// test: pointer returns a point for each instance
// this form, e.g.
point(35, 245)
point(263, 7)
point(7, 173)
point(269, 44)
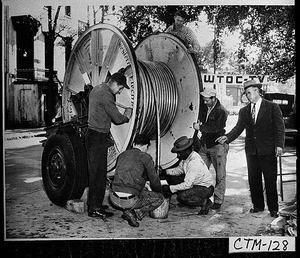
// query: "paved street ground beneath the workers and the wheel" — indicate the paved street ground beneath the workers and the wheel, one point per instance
point(30, 214)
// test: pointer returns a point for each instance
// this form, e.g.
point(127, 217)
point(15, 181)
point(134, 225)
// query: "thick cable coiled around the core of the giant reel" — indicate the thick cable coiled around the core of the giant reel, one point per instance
point(158, 87)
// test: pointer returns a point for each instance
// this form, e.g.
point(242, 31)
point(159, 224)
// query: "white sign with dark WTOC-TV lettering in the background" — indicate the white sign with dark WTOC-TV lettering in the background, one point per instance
point(232, 79)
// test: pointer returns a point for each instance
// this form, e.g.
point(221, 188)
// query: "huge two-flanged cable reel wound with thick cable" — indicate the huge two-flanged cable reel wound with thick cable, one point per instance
point(163, 78)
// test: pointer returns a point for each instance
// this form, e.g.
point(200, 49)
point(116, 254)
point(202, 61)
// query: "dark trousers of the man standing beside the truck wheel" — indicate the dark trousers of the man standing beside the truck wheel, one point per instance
point(96, 146)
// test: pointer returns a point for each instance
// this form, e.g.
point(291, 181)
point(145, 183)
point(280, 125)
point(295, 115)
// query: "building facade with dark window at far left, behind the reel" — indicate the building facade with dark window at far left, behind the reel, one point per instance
point(26, 64)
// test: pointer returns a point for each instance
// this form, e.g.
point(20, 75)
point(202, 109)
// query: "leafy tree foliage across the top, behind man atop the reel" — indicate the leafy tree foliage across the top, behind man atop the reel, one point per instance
point(268, 29)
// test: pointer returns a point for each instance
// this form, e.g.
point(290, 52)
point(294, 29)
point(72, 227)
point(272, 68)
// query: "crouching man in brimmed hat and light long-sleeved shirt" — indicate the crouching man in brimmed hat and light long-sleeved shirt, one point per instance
point(191, 179)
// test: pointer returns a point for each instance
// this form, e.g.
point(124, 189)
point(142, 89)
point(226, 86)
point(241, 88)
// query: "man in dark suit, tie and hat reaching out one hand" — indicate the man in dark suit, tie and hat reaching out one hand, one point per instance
point(264, 141)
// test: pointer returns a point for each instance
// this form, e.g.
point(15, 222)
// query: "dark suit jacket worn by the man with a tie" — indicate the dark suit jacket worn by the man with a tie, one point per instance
point(263, 136)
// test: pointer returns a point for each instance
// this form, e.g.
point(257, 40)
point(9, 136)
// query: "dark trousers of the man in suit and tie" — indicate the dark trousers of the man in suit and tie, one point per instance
point(265, 165)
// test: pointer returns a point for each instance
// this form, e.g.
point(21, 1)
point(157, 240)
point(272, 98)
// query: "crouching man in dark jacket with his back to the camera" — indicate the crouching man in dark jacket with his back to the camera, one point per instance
point(133, 168)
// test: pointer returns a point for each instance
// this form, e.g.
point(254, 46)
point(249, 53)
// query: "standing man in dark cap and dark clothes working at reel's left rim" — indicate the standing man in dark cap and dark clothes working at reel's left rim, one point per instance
point(102, 112)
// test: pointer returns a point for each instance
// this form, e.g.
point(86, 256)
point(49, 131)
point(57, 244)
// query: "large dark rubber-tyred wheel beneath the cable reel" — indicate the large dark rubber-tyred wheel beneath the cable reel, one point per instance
point(64, 168)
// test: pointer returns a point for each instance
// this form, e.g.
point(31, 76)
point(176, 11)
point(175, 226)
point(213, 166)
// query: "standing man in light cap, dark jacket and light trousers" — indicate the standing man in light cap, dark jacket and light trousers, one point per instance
point(211, 123)
